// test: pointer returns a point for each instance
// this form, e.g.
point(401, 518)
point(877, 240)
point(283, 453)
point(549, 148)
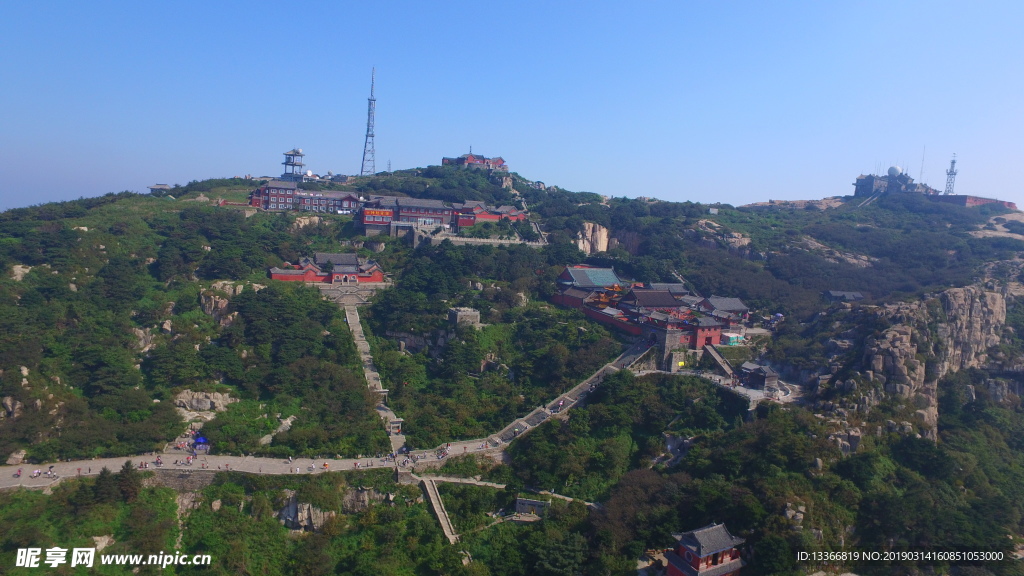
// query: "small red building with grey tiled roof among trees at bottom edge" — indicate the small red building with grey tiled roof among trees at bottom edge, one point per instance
point(707, 552)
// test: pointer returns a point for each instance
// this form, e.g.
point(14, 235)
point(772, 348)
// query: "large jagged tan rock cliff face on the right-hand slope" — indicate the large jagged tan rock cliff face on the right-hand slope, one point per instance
point(950, 333)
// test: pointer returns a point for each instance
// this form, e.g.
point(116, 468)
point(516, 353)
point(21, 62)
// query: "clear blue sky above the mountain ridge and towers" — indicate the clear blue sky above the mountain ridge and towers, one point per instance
point(729, 102)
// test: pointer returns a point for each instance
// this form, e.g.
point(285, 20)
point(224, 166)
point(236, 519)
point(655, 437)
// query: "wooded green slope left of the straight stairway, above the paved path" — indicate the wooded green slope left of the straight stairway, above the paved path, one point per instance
point(108, 273)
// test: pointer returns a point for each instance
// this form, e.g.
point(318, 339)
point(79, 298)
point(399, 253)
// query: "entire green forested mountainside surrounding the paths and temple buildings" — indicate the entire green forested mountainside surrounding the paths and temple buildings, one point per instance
point(106, 315)
